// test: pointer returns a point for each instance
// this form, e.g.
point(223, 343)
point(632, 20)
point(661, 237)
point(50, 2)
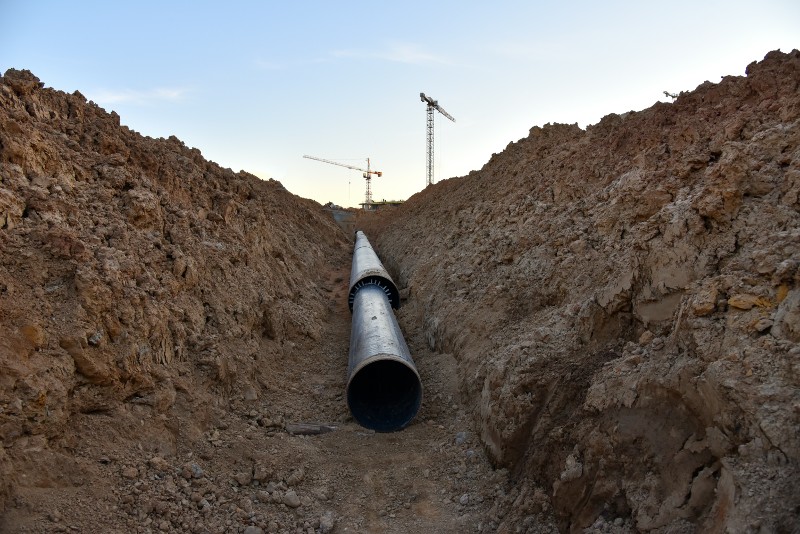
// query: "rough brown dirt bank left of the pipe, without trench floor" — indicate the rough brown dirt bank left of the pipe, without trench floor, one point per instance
point(142, 285)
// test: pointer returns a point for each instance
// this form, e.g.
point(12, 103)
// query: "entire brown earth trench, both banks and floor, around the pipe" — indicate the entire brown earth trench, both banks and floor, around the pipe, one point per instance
point(605, 322)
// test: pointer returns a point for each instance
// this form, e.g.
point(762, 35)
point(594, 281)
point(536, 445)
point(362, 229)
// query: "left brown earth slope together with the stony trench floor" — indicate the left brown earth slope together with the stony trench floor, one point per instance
point(173, 341)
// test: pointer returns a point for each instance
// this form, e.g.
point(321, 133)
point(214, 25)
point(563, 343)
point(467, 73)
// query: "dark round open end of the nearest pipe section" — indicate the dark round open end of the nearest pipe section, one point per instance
point(384, 395)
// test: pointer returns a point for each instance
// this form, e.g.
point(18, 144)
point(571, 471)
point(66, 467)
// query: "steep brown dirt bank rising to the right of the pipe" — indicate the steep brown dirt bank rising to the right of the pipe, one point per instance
point(623, 304)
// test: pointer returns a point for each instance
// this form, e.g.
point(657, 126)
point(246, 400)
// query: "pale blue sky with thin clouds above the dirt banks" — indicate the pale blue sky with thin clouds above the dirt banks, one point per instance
point(256, 85)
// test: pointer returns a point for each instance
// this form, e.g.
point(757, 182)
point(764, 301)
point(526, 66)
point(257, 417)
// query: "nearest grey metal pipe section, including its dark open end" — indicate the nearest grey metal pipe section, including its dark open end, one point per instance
point(384, 391)
